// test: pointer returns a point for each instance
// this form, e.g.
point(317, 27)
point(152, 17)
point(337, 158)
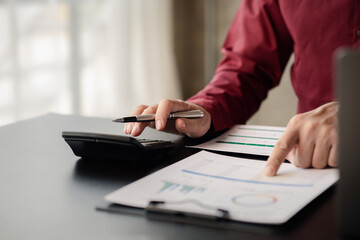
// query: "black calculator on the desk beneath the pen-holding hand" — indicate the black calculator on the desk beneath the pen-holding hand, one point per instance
point(108, 146)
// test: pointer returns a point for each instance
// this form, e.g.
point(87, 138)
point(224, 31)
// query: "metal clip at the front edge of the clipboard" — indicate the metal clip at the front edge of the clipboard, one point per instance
point(154, 207)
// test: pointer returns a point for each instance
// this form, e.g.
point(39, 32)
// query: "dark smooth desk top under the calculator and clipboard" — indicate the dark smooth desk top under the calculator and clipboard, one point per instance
point(48, 193)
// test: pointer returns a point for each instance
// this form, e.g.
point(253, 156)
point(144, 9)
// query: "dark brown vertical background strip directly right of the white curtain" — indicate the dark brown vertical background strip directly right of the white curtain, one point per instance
point(189, 44)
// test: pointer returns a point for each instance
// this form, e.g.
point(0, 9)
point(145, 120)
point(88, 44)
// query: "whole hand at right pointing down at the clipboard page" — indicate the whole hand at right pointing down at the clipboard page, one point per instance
point(310, 140)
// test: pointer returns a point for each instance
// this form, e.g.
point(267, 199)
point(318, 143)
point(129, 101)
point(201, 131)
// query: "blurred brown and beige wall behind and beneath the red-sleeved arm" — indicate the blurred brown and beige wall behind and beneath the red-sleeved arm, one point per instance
point(191, 37)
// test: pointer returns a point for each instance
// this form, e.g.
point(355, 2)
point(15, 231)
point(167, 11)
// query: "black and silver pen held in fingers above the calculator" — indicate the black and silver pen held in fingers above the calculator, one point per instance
point(151, 117)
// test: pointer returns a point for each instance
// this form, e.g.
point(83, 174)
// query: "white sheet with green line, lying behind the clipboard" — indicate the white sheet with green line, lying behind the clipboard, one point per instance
point(249, 139)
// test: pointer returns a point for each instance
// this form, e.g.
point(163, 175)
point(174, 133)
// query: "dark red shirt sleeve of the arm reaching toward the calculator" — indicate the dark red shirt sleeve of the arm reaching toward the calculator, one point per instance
point(256, 50)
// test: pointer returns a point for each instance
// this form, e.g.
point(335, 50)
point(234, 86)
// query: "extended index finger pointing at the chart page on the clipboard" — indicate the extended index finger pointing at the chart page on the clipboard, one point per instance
point(284, 145)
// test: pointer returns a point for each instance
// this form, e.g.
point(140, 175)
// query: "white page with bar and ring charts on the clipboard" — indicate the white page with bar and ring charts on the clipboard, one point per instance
point(205, 182)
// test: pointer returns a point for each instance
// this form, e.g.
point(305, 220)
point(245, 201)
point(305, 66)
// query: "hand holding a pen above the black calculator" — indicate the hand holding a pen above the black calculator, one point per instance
point(191, 127)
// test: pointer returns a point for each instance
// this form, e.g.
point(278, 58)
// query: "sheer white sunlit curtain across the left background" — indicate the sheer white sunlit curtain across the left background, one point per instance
point(94, 58)
